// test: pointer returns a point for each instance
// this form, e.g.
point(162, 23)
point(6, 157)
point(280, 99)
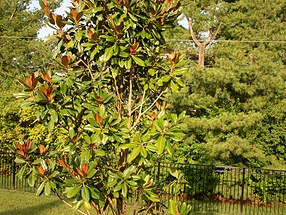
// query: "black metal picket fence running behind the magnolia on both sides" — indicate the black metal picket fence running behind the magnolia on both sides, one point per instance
point(209, 189)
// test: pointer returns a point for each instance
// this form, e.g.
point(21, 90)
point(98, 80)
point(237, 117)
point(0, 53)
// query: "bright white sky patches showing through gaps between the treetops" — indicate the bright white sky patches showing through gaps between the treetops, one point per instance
point(46, 31)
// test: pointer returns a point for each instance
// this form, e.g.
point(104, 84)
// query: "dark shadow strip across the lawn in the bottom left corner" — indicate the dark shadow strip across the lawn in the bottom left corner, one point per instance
point(34, 210)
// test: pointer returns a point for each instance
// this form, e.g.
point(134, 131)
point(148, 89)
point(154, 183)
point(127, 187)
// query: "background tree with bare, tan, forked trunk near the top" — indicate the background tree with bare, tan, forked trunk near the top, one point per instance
point(204, 22)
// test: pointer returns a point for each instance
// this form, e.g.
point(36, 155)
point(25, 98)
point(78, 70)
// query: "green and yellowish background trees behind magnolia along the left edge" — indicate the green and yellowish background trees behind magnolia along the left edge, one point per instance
point(21, 52)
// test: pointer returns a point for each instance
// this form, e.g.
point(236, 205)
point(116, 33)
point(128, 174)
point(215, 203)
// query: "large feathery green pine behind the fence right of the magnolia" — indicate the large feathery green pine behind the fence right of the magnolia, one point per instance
point(235, 104)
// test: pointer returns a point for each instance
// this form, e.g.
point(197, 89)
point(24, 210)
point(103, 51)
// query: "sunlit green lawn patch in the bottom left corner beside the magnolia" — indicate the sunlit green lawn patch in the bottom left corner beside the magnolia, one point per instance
point(22, 203)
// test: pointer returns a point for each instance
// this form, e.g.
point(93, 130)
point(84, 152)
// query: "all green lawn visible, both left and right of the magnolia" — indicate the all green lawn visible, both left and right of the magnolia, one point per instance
point(14, 202)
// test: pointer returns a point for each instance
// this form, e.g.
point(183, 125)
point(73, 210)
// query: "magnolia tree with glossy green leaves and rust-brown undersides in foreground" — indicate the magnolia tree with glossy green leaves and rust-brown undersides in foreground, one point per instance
point(106, 105)
